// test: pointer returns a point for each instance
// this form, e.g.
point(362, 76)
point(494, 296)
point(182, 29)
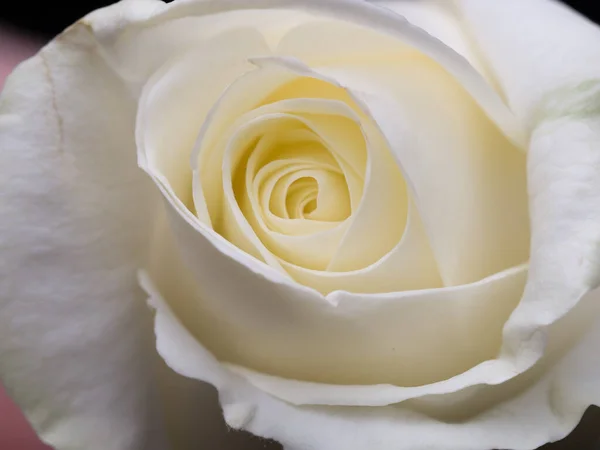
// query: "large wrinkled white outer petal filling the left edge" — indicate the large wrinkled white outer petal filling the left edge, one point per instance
point(74, 347)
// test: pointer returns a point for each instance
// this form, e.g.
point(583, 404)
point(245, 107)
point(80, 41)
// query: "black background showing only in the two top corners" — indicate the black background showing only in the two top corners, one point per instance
point(48, 17)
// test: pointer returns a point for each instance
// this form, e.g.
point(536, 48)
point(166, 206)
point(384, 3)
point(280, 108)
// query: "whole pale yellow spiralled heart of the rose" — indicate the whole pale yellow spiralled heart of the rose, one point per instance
point(356, 215)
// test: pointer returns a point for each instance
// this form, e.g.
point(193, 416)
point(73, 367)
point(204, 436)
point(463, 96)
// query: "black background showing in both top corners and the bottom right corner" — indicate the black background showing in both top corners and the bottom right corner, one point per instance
point(47, 18)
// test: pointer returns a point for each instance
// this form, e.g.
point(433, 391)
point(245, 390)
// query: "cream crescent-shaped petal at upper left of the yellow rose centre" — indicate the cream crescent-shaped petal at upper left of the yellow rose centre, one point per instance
point(176, 101)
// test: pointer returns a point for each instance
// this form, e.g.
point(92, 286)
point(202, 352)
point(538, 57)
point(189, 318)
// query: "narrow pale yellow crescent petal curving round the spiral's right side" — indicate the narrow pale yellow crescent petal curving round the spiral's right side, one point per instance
point(381, 218)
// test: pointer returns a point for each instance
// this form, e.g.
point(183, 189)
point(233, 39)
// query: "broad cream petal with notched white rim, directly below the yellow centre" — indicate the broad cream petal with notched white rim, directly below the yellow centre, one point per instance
point(281, 328)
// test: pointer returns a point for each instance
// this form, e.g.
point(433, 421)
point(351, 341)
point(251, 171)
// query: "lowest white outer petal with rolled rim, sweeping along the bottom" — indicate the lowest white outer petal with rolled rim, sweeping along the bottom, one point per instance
point(544, 406)
